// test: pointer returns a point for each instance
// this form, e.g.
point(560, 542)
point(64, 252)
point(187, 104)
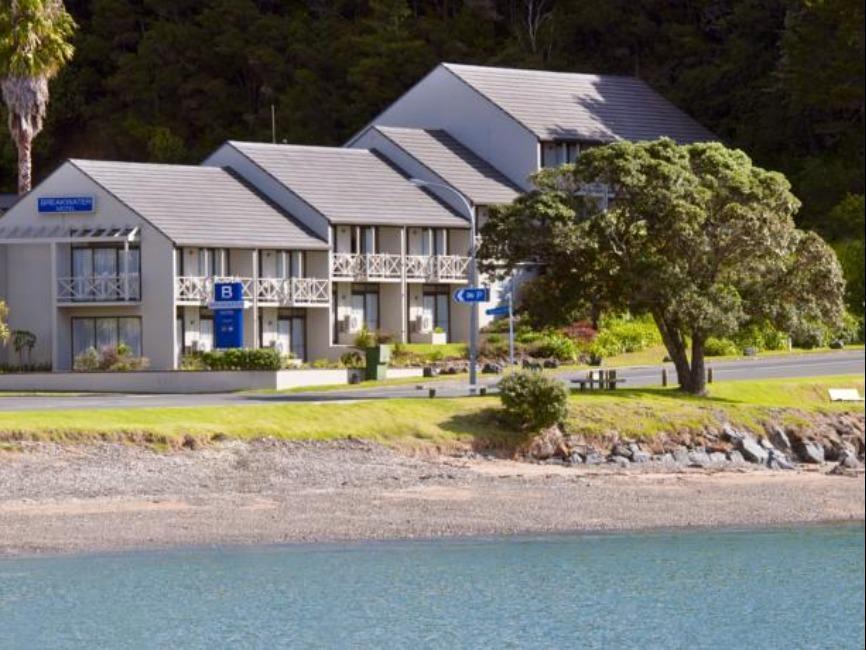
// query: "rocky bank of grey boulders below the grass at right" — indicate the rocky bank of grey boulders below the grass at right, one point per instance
point(813, 441)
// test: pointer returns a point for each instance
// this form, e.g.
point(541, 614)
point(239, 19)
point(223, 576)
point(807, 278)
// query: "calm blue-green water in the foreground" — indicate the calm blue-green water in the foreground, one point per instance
point(794, 588)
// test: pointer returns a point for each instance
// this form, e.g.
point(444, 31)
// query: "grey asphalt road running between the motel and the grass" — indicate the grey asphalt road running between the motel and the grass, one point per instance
point(833, 363)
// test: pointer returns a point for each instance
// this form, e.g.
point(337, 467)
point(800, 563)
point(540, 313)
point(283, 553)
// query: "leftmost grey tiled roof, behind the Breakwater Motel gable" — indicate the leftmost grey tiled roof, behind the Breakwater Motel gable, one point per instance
point(194, 205)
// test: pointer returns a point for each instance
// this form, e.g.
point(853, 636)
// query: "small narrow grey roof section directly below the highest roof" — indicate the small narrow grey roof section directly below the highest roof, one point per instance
point(454, 163)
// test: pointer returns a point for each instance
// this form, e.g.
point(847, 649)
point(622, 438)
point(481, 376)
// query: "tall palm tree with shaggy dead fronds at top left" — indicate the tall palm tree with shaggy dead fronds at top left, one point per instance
point(34, 45)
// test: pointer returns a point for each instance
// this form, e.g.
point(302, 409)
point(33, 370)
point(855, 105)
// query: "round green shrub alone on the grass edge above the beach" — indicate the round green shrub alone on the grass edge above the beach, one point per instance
point(532, 400)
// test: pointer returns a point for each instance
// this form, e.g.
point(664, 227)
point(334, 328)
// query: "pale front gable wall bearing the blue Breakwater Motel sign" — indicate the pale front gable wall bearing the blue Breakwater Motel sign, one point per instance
point(30, 282)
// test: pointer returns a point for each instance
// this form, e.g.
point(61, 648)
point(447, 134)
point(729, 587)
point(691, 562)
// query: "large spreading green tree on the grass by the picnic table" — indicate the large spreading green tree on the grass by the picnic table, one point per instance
point(695, 235)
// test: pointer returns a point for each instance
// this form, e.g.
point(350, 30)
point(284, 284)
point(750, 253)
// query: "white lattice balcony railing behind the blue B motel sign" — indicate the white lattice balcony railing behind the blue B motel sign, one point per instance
point(282, 292)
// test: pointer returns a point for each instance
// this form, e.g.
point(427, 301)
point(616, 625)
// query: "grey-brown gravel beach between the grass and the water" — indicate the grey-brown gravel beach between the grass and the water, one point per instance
point(108, 497)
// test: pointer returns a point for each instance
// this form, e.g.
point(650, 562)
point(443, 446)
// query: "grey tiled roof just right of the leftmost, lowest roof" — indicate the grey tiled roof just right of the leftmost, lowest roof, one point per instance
point(352, 186)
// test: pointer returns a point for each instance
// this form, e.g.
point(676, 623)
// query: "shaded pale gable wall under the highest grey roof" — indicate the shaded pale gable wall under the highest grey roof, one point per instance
point(443, 101)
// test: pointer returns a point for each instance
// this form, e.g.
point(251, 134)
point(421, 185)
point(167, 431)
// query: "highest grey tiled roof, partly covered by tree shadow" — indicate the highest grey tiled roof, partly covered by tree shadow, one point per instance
point(601, 108)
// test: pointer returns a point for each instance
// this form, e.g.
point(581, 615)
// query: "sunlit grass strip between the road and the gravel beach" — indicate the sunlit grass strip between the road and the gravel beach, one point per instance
point(442, 422)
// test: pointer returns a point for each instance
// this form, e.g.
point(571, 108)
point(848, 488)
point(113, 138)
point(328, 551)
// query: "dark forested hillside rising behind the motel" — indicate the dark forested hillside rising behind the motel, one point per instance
point(168, 80)
